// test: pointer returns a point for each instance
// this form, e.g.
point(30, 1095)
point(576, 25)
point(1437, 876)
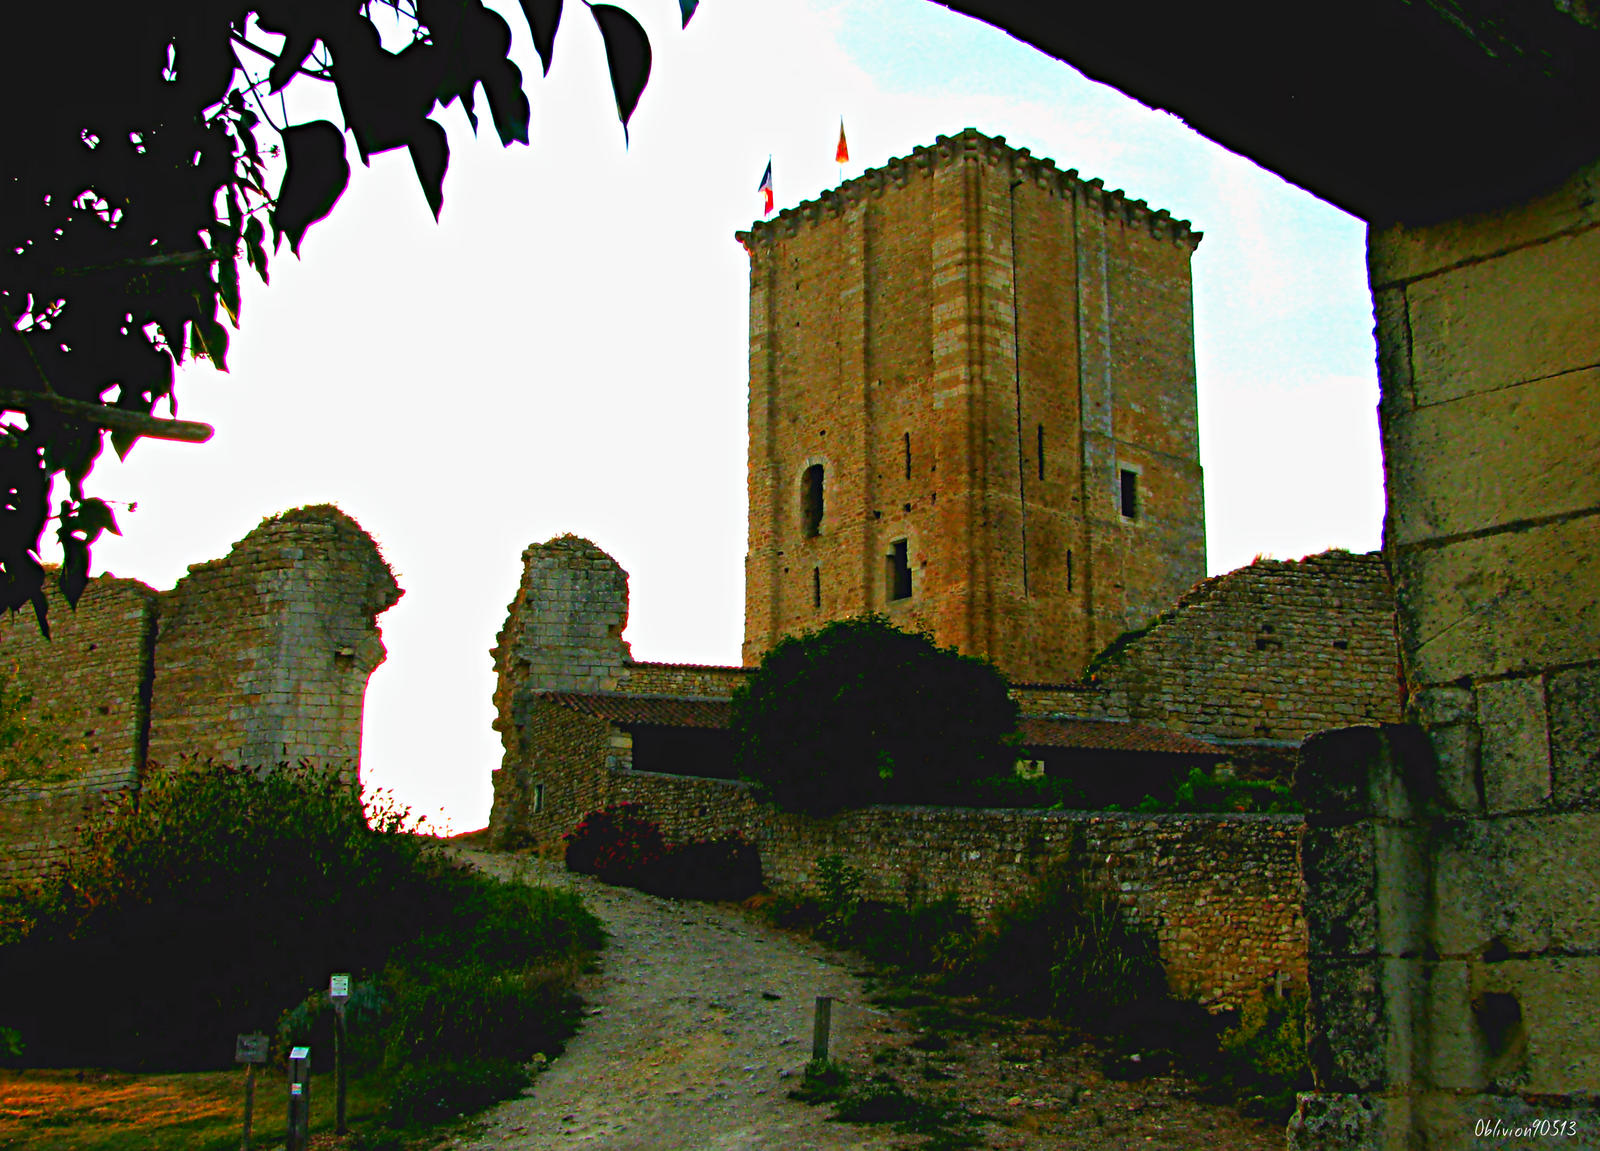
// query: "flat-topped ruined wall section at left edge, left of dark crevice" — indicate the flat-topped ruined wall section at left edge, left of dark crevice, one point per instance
point(90, 691)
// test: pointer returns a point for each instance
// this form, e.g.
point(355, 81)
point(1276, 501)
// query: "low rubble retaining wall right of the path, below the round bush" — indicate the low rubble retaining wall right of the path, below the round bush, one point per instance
point(1220, 892)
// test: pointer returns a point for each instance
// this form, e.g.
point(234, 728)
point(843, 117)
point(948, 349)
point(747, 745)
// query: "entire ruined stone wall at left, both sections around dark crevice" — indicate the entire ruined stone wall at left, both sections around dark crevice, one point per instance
point(257, 659)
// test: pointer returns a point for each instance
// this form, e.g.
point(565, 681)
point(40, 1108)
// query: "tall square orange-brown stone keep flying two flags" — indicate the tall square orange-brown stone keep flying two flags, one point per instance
point(974, 409)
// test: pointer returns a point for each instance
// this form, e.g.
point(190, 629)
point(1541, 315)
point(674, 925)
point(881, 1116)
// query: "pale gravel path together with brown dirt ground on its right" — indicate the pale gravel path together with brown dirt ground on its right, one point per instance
point(700, 1024)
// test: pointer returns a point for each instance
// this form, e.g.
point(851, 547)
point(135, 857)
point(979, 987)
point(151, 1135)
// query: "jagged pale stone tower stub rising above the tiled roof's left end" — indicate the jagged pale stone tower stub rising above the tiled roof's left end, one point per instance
point(564, 632)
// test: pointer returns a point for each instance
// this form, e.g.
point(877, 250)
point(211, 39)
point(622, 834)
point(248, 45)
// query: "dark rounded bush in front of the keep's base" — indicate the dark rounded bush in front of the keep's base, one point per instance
point(862, 713)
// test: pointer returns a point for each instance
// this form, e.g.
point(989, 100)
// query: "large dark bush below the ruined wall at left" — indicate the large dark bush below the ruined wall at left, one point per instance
point(220, 897)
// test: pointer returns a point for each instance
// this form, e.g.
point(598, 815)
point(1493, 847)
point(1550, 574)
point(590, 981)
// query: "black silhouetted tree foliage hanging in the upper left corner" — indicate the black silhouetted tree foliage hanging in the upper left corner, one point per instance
point(137, 151)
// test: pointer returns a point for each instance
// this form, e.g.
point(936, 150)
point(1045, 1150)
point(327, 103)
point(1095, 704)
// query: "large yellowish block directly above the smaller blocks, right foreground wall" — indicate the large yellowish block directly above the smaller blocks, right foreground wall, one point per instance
point(1502, 604)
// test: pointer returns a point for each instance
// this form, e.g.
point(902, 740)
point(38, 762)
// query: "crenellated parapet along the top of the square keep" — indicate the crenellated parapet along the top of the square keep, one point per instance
point(993, 151)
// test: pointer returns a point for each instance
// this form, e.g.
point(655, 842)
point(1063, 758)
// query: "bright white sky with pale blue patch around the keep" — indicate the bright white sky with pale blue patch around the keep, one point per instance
point(566, 351)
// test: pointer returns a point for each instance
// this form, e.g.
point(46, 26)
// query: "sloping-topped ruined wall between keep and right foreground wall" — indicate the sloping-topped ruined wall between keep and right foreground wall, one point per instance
point(1271, 652)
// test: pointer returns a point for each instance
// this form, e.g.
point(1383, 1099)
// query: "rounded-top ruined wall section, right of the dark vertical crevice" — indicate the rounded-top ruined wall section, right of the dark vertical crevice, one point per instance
point(263, 656)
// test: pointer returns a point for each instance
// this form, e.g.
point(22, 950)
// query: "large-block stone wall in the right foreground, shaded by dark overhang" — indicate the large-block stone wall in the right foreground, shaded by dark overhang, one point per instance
point(1455, 929)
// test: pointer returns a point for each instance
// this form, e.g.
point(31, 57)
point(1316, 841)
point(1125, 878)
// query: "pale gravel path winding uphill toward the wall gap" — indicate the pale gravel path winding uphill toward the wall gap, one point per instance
point(698, 1029)
